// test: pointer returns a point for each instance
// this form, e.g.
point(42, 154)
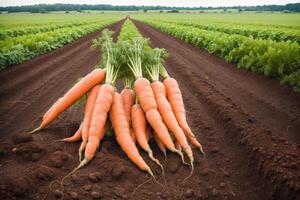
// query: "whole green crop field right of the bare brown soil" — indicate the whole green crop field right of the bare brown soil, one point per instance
point(257, 45)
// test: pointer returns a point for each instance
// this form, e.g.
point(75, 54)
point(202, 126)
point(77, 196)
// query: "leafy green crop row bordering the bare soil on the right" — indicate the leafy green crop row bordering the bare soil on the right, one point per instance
point(276, 59)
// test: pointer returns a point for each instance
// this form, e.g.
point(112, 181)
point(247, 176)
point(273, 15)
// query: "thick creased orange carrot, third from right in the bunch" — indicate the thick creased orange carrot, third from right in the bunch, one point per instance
point(145, 94)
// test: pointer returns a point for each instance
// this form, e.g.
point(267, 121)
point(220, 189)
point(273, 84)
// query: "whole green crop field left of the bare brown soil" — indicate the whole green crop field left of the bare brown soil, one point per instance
point(25, 36)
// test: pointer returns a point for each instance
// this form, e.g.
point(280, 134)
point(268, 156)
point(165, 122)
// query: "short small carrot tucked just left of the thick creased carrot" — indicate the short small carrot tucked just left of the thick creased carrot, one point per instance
point(139, 125)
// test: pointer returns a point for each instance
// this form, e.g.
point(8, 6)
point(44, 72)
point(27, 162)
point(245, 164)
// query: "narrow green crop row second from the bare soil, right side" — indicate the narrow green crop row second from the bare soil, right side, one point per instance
point(249, 31)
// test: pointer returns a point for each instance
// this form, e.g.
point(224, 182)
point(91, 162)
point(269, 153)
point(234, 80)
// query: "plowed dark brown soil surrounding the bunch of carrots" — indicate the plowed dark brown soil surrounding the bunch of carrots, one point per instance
point(248, 124)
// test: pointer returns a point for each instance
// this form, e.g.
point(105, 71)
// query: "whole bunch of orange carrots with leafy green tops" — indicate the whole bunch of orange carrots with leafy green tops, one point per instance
point(145, 108)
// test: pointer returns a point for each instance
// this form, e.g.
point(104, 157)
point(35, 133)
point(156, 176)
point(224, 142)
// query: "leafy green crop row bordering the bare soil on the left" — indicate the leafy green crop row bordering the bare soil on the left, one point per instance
point(16, 50)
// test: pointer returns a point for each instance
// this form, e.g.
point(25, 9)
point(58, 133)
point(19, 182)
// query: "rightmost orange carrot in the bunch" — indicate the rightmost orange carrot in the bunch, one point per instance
point(175, 98)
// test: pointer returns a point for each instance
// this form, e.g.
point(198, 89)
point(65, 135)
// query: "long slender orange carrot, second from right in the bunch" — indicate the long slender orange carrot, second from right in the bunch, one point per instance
point(169, 118)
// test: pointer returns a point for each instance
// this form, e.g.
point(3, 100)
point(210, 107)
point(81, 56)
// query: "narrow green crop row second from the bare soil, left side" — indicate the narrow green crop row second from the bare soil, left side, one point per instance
point(19, 31)
